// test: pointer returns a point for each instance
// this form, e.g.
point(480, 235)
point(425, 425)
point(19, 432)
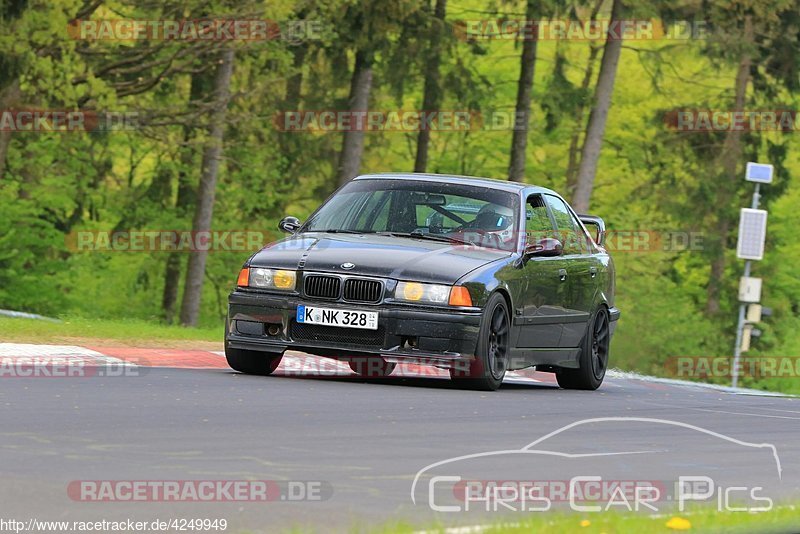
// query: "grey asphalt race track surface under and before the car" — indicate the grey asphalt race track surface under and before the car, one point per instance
point(364, 442)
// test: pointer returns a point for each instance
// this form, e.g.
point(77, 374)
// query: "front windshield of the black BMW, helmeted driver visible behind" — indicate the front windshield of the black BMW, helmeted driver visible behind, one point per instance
point(422, 210)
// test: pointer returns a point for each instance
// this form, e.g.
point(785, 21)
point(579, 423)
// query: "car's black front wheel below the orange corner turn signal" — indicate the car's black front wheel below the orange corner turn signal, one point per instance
point(486, 371)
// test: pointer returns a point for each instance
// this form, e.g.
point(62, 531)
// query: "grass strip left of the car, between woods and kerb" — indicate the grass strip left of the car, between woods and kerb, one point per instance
point(135, 332)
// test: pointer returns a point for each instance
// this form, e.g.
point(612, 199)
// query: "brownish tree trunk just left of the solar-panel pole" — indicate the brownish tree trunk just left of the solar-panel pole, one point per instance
point(728, 159)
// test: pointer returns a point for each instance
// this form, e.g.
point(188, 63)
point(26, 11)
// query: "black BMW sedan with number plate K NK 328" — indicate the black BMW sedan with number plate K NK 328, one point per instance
point(474, 275)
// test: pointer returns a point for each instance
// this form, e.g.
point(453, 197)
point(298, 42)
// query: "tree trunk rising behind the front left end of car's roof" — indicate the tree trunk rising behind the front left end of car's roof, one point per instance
point(353, 141)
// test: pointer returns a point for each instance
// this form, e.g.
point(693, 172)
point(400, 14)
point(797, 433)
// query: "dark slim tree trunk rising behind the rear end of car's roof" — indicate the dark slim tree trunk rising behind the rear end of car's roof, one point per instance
point(519, 139)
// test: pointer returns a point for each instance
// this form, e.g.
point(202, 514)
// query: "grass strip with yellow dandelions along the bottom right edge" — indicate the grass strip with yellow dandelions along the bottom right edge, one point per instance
point(779, 519)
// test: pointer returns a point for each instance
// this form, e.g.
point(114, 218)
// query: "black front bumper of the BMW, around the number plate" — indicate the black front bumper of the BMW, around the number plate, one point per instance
point(406, 333)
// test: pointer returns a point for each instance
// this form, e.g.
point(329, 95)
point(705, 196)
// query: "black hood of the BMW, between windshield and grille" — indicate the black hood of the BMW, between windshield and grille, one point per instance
point(400, 258)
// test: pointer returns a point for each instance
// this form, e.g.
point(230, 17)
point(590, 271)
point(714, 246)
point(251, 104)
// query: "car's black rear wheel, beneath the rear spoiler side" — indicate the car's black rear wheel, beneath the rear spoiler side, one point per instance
point(593, 358)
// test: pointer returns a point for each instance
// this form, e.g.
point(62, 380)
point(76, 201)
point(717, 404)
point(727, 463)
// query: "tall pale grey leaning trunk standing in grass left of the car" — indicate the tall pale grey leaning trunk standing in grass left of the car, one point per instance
point(204, 210)
